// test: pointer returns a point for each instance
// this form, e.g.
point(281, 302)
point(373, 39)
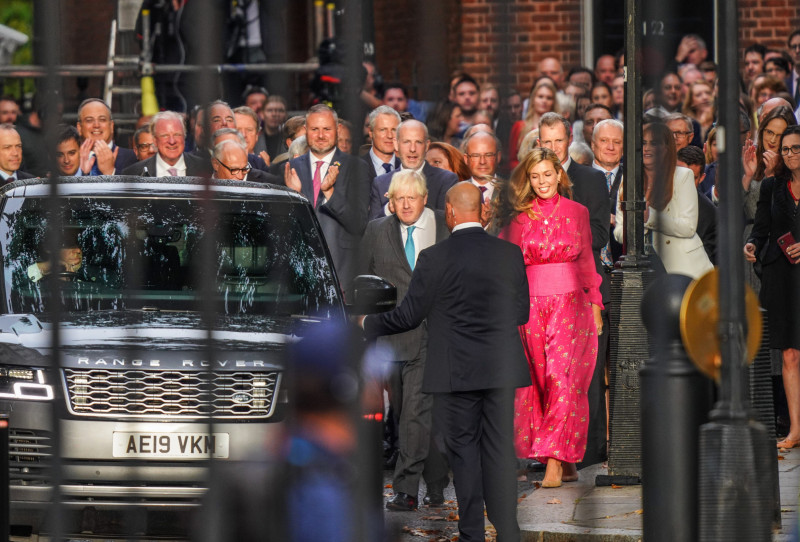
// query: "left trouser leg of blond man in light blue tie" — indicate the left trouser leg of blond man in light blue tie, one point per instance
point(415, 428)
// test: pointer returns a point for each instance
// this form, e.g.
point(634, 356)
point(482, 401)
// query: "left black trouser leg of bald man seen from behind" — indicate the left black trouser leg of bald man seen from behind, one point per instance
point(459, 415)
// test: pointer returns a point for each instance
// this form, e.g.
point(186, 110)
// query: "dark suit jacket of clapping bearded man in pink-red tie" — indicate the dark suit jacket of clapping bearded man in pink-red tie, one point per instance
point(343, 218)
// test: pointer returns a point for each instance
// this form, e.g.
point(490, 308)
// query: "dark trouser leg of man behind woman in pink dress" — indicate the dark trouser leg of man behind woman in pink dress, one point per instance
point(596, 444)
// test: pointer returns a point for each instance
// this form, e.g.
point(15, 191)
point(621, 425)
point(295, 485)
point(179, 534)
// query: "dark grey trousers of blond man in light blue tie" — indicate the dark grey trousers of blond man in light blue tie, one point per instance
point(413, 409)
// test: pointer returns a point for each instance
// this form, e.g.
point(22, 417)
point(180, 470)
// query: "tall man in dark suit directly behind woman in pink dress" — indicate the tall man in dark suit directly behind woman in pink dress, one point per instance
point(589, 188)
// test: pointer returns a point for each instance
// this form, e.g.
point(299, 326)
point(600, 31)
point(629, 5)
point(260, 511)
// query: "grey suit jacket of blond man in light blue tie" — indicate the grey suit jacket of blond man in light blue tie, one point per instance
point(382, 253)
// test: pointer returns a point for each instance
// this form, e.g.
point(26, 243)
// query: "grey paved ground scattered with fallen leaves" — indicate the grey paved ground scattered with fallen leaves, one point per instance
point(577, 511)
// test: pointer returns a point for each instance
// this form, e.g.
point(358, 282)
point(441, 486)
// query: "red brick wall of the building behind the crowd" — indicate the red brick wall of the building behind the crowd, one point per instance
point(502, 41)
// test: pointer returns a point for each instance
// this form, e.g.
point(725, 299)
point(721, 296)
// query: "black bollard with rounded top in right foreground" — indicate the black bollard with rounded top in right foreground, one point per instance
point(675, 401)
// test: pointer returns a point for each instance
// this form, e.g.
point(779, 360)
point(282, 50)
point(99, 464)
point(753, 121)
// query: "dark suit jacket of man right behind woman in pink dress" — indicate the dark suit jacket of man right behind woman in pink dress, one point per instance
point(590, 190)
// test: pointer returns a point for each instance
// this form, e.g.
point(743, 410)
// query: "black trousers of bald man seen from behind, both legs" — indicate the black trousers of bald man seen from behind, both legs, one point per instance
point(478, 428)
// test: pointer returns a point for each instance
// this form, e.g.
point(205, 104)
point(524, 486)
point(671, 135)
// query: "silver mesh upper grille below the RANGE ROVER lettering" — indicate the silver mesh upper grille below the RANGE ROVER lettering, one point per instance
point(171, 394)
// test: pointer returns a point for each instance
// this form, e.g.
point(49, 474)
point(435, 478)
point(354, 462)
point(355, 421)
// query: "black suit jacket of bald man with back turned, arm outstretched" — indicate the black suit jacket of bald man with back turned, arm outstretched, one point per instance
point(473, 290)
